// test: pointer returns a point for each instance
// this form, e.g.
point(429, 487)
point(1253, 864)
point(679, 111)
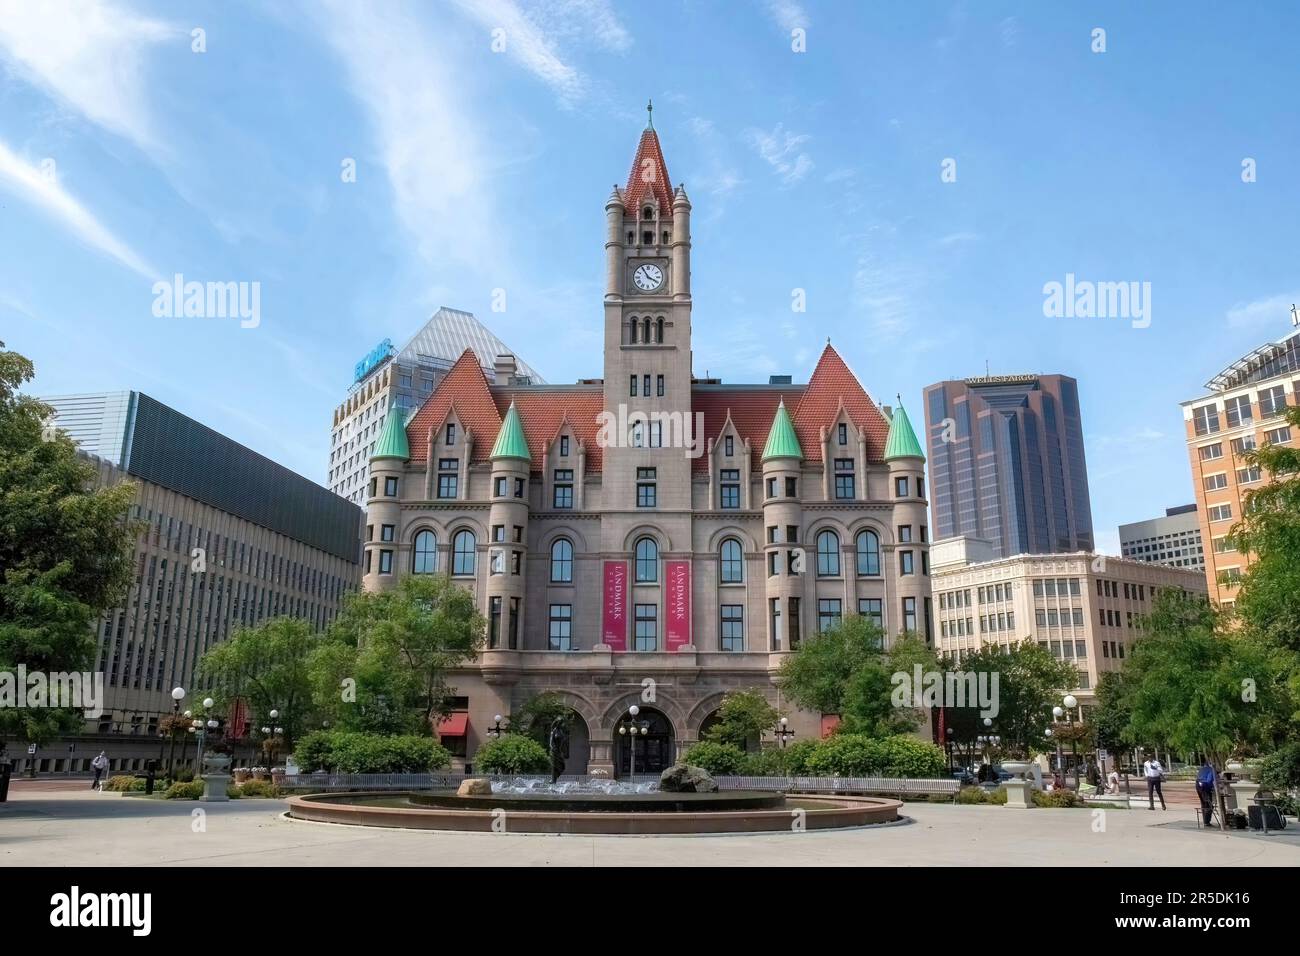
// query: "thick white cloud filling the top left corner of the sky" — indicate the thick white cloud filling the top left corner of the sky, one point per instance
point(88, 55)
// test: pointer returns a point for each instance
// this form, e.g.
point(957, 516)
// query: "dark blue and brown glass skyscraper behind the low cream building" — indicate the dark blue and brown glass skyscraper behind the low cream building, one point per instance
point(1007, 464)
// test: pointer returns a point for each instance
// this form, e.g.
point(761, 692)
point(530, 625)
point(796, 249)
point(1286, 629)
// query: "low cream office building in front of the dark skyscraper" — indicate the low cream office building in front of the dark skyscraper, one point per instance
point(1085, 608)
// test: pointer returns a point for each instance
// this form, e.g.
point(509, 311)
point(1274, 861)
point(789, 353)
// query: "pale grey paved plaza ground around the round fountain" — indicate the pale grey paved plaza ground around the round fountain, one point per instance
point(68, 828)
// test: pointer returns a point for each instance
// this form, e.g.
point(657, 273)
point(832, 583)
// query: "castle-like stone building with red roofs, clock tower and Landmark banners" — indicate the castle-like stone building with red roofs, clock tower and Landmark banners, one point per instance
point(651, 538)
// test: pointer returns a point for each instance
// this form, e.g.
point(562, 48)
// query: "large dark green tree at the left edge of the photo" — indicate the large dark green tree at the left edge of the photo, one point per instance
point(66, 551)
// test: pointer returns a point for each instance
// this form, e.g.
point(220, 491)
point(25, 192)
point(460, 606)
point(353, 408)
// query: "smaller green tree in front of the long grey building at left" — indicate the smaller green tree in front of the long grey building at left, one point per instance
point(268, 667)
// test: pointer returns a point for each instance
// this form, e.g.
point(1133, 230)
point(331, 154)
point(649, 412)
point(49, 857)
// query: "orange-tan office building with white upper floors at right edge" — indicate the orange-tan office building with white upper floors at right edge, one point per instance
point(1243, 410)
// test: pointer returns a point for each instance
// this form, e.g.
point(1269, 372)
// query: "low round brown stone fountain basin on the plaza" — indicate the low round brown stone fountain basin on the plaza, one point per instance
point(679, 814)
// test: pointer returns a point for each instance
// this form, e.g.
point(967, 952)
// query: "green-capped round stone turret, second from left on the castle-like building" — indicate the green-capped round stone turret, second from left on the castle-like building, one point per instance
point(512, 464)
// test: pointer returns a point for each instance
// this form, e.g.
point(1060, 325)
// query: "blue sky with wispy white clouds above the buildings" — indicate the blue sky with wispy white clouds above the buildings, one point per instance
point(127, 157)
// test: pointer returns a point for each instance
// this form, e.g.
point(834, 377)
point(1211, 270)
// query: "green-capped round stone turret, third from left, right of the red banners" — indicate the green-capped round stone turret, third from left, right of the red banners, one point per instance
point(786, 565)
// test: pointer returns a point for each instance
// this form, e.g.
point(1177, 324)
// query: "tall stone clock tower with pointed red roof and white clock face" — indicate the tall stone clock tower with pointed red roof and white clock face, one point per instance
point(648, 334)
